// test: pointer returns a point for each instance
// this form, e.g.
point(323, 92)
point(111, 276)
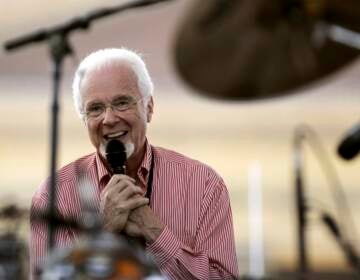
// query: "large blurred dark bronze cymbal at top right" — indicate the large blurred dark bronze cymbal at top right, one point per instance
point(254, 49)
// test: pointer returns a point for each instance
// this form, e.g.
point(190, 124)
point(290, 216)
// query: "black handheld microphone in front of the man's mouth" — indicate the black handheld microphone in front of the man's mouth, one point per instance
point(116, 156)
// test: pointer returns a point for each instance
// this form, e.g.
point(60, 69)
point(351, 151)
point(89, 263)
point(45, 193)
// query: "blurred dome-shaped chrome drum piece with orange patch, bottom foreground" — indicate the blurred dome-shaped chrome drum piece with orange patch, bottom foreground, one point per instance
point(103, 256)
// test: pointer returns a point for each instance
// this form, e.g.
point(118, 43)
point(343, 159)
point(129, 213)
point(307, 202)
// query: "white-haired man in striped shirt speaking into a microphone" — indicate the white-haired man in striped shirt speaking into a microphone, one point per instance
point(185, 218)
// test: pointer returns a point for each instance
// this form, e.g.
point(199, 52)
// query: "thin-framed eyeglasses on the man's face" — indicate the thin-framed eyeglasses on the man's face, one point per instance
point(119, 104)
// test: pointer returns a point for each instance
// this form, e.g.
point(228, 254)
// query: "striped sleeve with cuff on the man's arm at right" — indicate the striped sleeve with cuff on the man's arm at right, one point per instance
point(213, 256)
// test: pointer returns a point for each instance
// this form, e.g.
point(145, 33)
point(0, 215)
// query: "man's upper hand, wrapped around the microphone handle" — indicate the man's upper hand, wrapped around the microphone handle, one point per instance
point(119, 197)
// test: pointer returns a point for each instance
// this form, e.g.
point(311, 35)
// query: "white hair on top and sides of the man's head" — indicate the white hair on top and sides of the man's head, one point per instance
point(109, 57)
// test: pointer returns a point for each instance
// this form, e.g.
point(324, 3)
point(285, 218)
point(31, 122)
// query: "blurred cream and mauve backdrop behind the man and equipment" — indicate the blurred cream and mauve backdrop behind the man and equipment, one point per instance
point(236, 138)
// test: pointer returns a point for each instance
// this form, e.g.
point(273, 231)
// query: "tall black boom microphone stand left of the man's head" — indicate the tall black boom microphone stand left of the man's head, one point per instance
point(57, 38)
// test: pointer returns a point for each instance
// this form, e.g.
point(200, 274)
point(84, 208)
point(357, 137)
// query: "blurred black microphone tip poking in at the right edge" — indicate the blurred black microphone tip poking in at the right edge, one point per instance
point(350, 145)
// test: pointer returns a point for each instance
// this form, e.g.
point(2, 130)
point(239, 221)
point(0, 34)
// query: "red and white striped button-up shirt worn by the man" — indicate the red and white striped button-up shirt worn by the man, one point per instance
point(189, 197)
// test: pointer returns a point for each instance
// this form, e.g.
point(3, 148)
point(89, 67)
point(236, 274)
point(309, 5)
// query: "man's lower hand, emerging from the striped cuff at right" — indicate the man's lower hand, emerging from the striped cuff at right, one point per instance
point(142, 222)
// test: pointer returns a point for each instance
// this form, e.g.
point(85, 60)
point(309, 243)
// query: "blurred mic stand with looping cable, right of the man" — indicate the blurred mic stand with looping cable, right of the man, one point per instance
point(342, 231)
